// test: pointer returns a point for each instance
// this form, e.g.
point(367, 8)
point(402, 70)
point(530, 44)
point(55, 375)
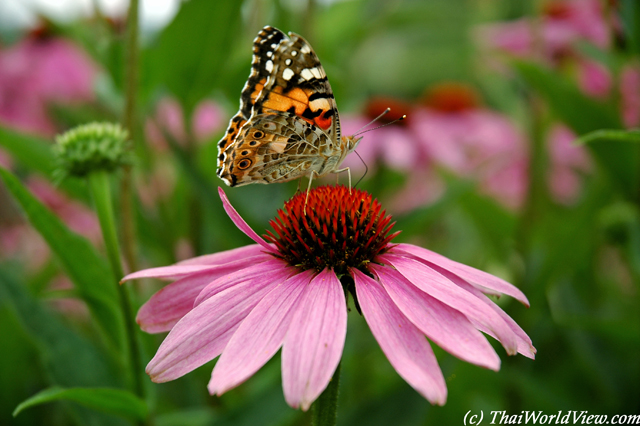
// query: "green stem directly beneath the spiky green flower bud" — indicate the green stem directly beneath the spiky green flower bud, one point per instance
point(101, 193)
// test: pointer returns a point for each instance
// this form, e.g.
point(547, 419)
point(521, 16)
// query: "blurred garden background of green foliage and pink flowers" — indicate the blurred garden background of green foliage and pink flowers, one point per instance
point(529, 66)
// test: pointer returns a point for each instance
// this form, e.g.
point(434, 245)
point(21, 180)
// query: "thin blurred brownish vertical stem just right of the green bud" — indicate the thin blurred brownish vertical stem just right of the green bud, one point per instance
point(129, 120)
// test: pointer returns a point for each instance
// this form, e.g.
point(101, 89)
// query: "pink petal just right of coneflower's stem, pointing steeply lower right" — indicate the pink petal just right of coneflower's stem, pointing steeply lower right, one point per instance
point(404, 345)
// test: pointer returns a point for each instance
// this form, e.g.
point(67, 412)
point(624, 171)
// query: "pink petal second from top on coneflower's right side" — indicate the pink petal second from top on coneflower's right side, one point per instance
point(446, 291)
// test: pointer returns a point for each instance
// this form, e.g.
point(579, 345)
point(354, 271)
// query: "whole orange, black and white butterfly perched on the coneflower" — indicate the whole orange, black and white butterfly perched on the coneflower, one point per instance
point(288, 124)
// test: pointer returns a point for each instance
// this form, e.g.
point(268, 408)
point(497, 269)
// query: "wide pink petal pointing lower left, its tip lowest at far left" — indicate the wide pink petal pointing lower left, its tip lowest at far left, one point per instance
point(202, 334)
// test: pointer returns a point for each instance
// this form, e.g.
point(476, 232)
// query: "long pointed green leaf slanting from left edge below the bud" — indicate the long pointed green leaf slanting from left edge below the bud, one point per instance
point(89, 272)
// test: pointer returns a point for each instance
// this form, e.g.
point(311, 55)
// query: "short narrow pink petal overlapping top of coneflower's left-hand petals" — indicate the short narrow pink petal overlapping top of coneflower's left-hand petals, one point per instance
point(279, 272)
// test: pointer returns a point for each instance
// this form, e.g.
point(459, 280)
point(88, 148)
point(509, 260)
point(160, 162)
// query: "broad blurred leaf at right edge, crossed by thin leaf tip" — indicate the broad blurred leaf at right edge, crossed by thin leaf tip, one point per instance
point(584, 115)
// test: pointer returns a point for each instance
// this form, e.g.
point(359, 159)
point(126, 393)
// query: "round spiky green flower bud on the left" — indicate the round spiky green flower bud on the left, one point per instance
point(91, 147)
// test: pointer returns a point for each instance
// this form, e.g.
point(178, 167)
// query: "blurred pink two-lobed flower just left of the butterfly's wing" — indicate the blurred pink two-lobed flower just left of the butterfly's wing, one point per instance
point(207, 119)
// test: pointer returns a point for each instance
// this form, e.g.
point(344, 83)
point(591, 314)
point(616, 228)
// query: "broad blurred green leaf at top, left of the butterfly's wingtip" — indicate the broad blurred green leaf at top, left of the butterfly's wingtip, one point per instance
point(191, 51)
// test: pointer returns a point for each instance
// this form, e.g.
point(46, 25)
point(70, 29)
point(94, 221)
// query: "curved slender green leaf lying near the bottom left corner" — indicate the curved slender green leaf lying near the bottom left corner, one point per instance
point(118, 402)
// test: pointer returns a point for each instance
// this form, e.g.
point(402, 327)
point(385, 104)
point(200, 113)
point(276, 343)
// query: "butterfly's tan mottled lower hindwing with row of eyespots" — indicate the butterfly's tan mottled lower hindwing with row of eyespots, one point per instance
point(277, 147)
